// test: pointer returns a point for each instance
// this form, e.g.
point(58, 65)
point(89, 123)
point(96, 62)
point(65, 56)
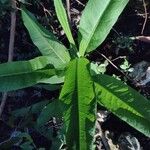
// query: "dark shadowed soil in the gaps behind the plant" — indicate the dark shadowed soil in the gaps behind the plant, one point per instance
point(129, 24)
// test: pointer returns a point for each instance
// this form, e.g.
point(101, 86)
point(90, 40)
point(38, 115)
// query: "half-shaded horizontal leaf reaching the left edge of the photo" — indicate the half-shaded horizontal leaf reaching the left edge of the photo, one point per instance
point(21, 74)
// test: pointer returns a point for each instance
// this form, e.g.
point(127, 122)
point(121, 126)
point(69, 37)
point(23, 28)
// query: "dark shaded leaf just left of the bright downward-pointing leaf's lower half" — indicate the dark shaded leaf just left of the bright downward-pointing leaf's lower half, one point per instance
point(53, 110)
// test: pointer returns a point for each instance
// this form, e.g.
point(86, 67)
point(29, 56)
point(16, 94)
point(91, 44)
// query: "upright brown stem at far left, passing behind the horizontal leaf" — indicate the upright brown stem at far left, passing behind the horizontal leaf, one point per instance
point(11, 49)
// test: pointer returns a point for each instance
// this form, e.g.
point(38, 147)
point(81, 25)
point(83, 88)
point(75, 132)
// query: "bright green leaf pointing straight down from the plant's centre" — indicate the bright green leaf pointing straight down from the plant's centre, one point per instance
point(78, 96)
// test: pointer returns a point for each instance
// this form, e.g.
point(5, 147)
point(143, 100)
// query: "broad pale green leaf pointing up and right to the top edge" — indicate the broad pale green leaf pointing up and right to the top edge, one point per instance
point(96, 22)
